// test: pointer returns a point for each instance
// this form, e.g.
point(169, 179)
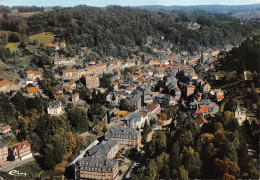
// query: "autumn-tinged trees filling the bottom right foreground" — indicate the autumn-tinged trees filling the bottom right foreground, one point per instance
point(183, 151)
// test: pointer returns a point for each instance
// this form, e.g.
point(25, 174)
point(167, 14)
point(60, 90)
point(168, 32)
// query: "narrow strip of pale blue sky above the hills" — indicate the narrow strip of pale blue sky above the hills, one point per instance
point(103, 3)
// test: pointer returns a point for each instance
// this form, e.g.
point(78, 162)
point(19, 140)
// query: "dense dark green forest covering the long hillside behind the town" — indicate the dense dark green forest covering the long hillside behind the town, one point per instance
point(112, 30)
